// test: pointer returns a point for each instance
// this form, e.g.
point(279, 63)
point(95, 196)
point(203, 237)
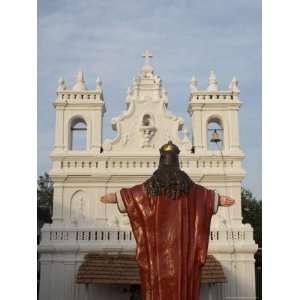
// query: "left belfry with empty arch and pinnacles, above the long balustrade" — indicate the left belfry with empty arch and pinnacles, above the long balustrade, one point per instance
point(78, 109)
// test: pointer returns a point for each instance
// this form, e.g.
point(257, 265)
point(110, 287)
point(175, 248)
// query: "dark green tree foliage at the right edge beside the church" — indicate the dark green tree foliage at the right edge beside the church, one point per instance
point(252, 213)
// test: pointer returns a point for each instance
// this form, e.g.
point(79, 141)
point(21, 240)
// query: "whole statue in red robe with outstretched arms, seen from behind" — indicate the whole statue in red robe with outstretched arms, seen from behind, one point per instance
point(170, 218)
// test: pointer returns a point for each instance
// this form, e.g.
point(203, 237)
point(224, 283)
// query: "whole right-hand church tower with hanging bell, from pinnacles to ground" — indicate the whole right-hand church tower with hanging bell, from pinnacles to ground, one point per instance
point(216, 146)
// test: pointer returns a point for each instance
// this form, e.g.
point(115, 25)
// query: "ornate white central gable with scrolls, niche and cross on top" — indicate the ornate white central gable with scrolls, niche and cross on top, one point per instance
point(146, 124)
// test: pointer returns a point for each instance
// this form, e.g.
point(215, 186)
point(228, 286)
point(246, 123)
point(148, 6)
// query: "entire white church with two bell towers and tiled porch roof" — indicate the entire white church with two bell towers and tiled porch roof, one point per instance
point(88, 252)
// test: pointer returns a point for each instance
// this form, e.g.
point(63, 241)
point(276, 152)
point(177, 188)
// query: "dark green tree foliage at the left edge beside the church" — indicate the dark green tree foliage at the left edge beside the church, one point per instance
point(44, 198)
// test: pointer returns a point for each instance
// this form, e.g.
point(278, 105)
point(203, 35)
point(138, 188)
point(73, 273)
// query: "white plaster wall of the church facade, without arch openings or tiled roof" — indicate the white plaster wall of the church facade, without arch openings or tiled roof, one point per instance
point(61, 254)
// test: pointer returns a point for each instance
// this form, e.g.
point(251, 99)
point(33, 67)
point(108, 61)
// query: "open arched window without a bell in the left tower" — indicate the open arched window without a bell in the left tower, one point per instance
point(78, 132)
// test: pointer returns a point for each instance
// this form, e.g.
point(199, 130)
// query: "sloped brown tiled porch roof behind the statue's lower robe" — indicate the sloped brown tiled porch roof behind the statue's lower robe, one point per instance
point(123, 269)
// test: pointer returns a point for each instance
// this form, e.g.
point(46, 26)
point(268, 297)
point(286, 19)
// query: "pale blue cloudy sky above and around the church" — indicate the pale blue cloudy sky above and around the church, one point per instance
point(107, 38)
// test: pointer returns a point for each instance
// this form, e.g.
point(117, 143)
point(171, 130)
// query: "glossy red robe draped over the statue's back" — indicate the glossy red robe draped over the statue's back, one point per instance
point(172, 240)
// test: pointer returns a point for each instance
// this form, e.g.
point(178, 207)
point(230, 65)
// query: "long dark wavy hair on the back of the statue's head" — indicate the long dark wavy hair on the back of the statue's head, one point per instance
point(168, 180)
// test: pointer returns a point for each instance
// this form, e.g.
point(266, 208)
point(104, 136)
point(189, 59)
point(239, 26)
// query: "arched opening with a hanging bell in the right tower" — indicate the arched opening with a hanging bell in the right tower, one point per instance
point(215, 134)
